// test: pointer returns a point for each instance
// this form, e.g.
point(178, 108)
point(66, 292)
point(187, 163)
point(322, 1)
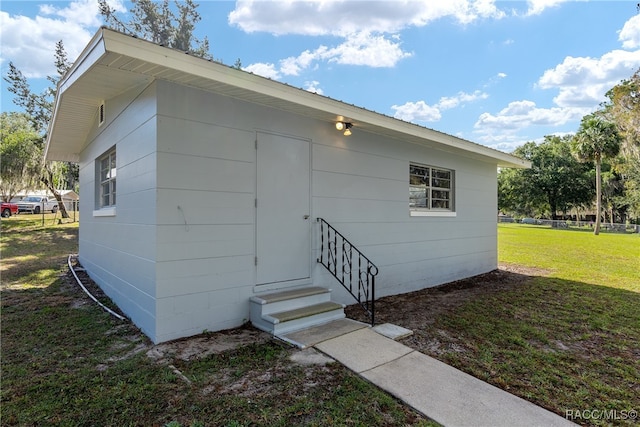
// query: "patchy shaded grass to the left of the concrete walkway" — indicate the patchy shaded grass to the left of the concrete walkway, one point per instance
point(66, 362)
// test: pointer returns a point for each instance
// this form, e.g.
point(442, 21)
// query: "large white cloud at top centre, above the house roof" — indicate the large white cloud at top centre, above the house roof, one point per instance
point(369, 29)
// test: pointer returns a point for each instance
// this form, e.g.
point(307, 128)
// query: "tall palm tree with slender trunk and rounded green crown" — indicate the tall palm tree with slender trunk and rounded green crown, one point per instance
point(596, 140)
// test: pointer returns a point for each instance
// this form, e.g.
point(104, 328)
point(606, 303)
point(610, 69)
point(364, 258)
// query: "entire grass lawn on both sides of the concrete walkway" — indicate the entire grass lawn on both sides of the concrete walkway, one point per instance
point(566, 337)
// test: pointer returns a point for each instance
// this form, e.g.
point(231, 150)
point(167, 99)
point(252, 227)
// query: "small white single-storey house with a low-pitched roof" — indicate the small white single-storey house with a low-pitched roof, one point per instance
point(221, 177)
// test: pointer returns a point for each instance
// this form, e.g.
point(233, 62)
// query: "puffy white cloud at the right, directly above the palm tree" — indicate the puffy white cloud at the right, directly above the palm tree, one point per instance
point(584, 81)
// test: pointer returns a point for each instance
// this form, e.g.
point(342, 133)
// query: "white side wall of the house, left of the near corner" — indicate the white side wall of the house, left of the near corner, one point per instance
point(118, 250)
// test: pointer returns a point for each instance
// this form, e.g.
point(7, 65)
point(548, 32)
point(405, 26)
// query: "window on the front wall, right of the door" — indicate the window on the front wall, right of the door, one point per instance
point(430, 188)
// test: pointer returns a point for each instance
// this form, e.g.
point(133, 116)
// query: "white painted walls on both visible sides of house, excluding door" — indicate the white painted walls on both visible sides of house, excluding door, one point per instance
point(179, 257)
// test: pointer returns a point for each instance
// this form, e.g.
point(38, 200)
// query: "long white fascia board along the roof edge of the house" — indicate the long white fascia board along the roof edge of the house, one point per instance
point(109, 41)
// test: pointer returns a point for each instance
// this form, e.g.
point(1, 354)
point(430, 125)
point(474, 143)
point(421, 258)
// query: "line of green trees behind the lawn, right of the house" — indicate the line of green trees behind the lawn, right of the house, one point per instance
point(596, 170)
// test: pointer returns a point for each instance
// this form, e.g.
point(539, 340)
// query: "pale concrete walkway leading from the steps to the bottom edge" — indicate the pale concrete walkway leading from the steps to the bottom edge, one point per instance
point(442, 393)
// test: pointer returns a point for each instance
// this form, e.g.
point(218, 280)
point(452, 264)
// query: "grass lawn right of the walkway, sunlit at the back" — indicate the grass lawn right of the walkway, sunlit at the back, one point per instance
point(568, 337)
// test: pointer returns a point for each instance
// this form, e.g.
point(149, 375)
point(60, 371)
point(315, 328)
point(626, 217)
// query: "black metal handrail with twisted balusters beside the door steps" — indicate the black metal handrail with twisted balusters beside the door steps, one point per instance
point(354, 267)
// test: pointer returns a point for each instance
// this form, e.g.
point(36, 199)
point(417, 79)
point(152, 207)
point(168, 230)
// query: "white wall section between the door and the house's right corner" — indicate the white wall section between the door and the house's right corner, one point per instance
point(360, 185)
